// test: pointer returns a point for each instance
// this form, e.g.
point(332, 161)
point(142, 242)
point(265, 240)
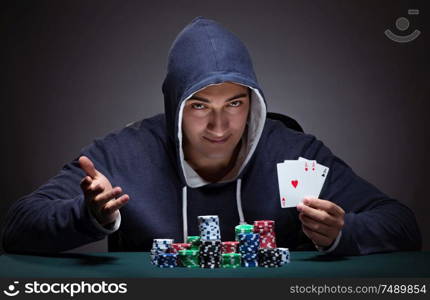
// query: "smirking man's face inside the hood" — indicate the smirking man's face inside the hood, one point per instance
point(214, 120)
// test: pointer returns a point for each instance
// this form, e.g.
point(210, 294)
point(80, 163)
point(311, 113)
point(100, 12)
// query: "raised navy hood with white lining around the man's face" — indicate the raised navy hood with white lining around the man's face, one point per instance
point(205, 53)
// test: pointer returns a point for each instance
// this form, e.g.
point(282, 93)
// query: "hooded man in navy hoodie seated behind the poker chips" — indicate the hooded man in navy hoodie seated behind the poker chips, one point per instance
point(213, 152)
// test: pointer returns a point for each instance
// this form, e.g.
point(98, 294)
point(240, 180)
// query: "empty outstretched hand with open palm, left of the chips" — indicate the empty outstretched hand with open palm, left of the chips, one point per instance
point(100, 197)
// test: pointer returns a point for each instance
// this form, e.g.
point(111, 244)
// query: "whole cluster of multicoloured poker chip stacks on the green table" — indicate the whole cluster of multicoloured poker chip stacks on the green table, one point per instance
point(254, 245)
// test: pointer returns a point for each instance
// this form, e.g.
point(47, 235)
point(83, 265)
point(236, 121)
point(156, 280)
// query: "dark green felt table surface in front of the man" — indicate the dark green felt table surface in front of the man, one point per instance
point(137, 265)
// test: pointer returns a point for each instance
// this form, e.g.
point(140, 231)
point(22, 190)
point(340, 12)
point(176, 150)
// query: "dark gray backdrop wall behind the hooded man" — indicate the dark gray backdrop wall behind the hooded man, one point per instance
point(76, 70)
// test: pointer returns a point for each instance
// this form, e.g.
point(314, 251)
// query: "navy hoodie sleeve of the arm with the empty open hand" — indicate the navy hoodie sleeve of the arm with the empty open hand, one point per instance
point(55, 217)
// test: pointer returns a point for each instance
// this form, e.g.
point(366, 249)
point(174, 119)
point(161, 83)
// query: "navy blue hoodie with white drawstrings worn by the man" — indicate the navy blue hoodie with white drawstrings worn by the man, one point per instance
point(167, 195)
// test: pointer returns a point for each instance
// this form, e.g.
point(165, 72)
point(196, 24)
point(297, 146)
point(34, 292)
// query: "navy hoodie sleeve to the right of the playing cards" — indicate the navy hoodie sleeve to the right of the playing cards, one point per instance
point(374, 222)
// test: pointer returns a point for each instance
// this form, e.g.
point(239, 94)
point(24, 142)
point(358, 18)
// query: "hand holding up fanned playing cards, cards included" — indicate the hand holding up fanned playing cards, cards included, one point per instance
point(300, 183)
